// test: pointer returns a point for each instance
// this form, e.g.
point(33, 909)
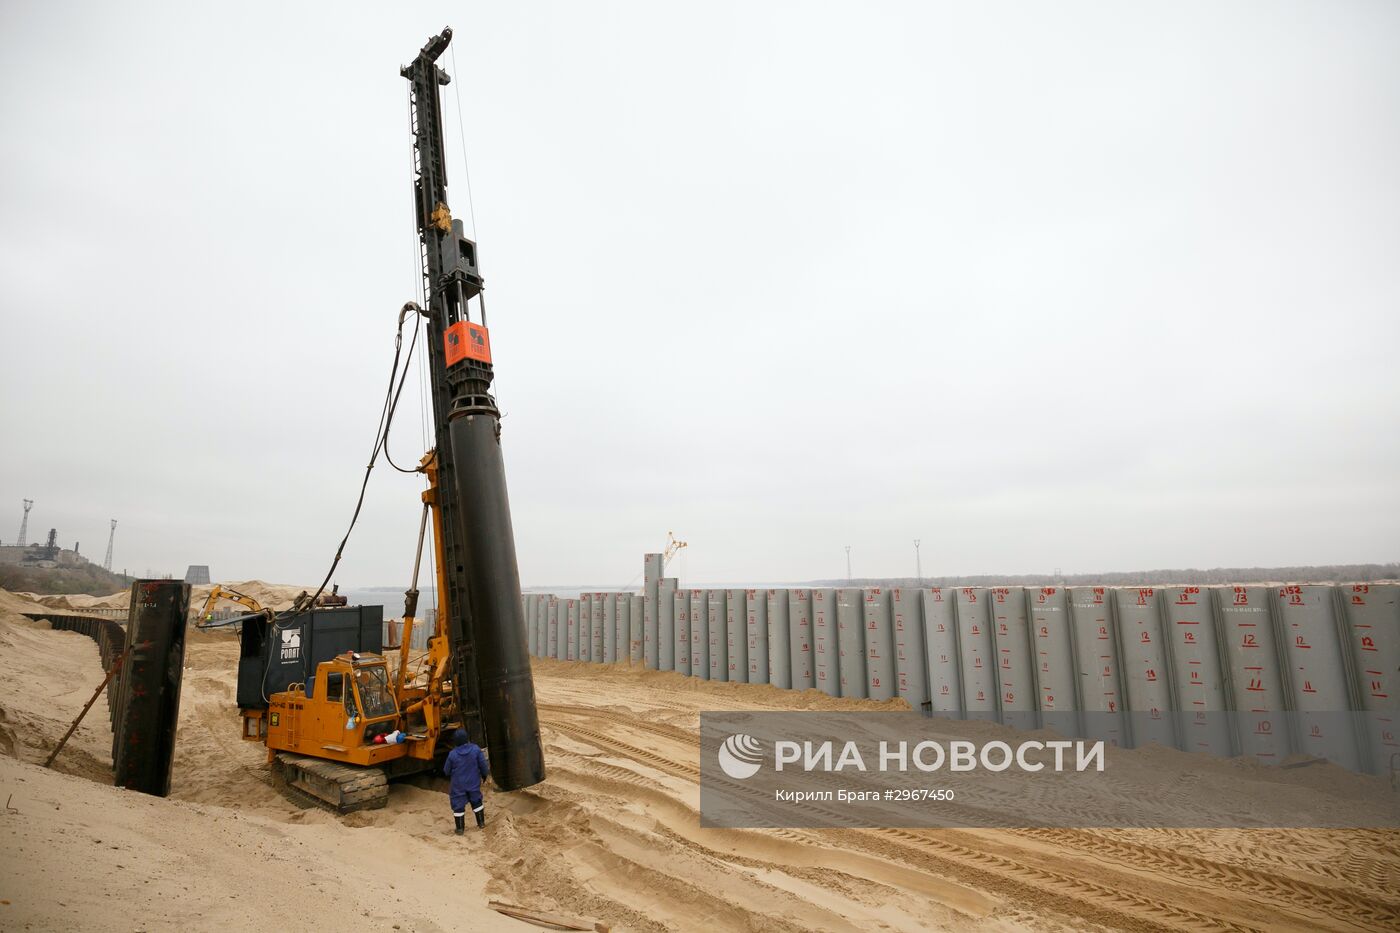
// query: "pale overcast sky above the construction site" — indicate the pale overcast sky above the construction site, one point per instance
point(1084, 286)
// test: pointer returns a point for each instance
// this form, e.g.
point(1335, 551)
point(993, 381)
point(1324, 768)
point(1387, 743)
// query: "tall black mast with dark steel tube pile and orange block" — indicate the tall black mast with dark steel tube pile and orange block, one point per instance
point(492, 676)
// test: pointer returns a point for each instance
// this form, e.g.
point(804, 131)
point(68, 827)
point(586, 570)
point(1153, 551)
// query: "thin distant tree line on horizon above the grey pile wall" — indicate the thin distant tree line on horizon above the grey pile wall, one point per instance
point(1326, 574)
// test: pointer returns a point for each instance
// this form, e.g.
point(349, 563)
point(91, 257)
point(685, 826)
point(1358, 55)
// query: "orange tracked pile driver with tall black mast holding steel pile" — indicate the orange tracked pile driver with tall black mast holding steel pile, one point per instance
point(349, 724)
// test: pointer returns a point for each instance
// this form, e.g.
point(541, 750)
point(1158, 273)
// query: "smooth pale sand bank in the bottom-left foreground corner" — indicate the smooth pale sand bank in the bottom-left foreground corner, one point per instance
point(82, 857)
